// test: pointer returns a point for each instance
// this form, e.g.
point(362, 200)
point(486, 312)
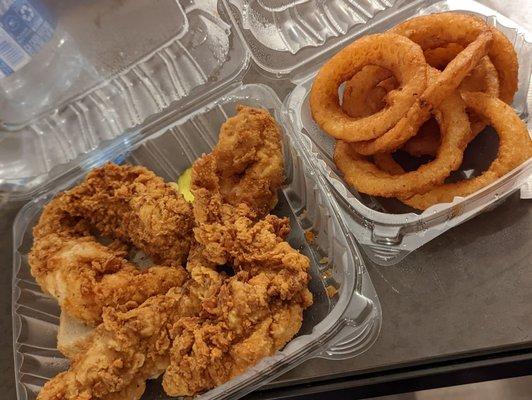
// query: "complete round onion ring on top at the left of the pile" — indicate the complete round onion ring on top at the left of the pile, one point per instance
point(386, 50)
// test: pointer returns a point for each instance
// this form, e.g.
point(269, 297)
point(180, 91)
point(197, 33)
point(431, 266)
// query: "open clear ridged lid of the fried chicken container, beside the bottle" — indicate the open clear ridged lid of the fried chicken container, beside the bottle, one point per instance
point(144, 58)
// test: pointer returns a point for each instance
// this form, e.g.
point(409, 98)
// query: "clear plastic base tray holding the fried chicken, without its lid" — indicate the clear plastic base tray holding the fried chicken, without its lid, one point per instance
point(334, 328)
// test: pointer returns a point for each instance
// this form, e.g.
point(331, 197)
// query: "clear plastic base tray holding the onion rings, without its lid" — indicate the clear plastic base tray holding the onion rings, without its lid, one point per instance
point(386, 229)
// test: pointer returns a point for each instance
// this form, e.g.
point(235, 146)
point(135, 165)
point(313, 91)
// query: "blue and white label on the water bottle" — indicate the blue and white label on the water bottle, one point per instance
point(25, 26)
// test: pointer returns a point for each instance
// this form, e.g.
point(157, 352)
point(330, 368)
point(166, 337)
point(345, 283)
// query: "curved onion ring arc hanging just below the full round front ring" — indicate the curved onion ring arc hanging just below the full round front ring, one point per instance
point(367, 178)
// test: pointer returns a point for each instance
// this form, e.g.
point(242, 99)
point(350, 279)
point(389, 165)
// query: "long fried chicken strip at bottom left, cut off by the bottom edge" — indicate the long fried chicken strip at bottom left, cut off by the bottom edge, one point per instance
point(130, 347)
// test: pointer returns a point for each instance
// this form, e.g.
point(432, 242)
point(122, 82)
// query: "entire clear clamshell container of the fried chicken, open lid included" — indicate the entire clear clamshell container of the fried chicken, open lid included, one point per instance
point(173, 102)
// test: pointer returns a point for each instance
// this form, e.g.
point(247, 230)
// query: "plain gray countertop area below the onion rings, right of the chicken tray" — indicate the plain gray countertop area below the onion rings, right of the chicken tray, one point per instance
point(467, 291)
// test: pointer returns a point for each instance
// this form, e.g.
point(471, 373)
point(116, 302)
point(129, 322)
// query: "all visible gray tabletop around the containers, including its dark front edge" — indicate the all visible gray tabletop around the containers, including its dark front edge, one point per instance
point(466, 293)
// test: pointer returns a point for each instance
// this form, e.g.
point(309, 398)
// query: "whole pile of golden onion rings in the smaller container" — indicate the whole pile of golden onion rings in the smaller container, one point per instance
point(390, 103)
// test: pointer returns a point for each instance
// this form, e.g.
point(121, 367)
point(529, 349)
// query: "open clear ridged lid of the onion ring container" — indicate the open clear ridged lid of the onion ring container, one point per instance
point(291, 37)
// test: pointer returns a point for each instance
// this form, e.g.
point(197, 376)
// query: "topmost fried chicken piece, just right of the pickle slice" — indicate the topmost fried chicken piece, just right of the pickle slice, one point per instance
point(249, 159)
